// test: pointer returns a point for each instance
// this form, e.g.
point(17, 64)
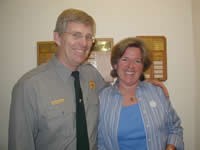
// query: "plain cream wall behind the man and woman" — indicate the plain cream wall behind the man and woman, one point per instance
point(24, 22)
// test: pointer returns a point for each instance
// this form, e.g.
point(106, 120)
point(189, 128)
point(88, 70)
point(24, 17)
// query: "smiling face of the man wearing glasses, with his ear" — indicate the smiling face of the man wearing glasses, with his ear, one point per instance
point(74, 44)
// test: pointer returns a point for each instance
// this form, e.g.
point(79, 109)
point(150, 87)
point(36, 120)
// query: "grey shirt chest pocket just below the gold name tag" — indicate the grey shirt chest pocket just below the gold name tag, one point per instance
point(61, 120)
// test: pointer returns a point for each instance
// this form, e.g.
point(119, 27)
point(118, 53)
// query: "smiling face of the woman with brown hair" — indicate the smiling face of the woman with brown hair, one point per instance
point(130, 67)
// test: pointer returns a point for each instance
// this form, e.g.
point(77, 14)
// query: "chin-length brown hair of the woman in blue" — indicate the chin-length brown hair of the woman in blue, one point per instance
point(119, 49)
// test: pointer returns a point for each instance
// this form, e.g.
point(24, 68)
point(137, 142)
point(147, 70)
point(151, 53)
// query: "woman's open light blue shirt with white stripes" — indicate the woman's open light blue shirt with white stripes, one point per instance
point(161, 122)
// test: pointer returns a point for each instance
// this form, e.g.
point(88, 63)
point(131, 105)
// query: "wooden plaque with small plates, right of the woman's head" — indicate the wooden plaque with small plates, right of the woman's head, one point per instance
point(158, 50)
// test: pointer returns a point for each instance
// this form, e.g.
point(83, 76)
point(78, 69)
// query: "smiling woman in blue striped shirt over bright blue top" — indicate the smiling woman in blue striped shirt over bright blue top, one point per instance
point(136, 115)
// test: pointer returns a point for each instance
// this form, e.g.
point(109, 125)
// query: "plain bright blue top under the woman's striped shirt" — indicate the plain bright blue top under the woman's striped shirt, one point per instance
point(131, 133)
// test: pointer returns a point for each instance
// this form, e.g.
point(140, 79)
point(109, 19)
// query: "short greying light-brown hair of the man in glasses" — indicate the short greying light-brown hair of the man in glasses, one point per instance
point(73, 15)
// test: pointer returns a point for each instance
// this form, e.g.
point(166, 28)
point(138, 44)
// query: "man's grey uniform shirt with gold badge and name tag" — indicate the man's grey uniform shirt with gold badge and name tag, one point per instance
point(44, 116)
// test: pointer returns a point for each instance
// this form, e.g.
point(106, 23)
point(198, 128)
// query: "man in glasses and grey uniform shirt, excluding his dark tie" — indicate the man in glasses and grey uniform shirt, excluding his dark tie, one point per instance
point(43, 107)
